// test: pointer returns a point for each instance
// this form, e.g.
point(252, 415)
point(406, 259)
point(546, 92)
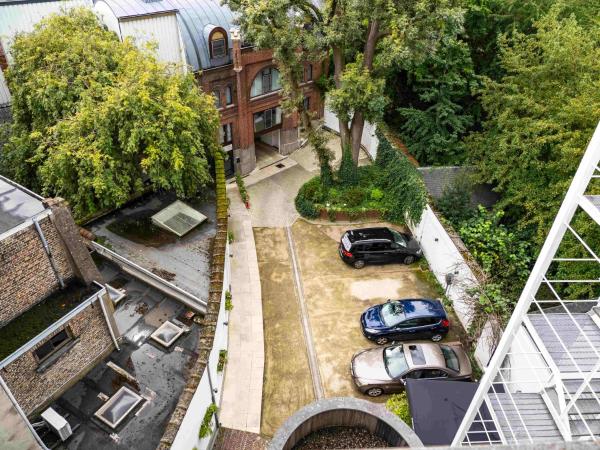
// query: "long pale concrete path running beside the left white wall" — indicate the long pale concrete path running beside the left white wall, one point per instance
point(242, 392)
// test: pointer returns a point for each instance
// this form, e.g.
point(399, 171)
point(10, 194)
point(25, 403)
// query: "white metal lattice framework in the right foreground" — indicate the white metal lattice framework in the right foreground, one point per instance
point(543, 382)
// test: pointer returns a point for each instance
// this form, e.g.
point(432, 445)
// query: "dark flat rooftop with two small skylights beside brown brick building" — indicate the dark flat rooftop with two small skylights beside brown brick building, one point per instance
point(156, 373)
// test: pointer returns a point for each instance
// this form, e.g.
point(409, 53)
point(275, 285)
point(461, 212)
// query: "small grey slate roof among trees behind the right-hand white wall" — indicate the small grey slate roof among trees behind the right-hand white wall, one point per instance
point(438, 179)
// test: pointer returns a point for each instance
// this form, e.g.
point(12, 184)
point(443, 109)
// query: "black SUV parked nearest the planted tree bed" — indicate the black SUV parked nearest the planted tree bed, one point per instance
point(377, 246)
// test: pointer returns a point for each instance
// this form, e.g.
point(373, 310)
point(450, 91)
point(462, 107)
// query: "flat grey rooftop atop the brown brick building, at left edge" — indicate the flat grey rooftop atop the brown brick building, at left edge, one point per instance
point(16, 205)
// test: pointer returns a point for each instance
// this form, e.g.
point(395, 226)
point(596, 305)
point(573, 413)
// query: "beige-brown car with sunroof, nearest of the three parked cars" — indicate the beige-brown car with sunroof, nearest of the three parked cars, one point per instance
point(382, 370)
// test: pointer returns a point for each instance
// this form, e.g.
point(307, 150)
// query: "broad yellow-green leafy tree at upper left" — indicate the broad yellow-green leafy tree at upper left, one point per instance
point(96, 119)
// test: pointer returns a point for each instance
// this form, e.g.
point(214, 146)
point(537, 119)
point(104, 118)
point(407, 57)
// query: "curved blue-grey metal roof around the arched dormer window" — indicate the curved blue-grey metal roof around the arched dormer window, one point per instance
point(196, 19)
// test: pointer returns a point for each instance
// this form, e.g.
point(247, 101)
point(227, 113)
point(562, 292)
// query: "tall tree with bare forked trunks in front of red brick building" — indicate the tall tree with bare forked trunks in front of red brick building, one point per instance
point(364, 38)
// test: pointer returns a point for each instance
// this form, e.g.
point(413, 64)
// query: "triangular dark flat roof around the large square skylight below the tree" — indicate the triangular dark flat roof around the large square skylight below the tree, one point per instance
point(183, 261)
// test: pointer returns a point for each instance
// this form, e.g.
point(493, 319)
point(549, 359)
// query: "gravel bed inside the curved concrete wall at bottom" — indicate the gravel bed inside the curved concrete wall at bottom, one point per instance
point(340, 437)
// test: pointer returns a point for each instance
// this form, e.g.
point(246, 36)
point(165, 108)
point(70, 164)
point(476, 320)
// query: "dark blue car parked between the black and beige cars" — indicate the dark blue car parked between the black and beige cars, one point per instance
point(398, 320)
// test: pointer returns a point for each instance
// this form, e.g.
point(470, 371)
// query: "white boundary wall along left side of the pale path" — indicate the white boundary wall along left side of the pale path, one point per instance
point(187, 436)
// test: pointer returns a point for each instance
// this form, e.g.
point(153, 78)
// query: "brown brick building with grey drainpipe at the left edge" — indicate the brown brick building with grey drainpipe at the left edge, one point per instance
point(55, 321)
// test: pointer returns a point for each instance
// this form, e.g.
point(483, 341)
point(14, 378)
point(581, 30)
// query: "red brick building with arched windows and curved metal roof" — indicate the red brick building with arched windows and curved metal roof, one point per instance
point(200, 35)
